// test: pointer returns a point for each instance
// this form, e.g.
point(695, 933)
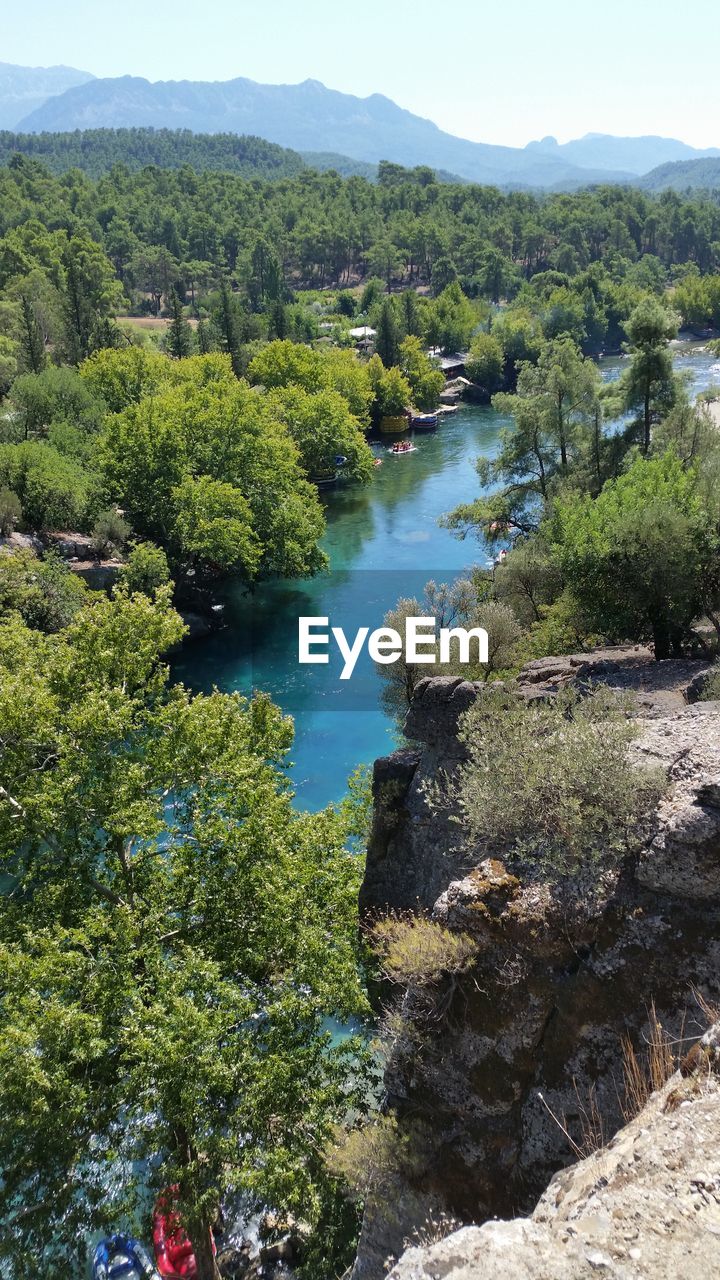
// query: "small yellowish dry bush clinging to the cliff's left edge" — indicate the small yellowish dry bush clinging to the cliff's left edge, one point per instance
point(418, 952)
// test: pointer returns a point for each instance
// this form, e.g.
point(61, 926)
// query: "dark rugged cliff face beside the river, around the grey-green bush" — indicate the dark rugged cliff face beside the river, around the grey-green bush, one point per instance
point(534, 1034)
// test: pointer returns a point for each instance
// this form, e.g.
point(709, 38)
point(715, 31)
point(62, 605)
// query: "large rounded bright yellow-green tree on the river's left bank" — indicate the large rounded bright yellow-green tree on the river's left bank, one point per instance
point(211, 449)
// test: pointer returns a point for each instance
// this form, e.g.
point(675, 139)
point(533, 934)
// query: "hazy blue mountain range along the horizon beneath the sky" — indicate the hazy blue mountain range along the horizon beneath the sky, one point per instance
point(312, 118)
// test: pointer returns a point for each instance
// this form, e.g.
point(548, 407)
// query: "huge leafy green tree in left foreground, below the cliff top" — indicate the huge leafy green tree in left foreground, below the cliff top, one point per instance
point(175, 941)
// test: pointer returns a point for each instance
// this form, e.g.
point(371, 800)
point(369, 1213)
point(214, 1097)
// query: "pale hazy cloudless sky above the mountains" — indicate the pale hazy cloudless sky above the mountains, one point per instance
point(507, 71)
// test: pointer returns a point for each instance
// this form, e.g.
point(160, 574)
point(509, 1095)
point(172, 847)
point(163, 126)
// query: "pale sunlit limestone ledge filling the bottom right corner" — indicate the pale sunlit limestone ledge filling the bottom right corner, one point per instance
point(646, 1208)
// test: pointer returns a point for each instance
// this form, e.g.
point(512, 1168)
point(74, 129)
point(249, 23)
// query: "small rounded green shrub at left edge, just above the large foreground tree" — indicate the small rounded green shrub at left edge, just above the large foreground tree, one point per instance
point(45, 593)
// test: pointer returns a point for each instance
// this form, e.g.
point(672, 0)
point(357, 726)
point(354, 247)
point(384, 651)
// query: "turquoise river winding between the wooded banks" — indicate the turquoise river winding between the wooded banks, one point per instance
point(384, 542)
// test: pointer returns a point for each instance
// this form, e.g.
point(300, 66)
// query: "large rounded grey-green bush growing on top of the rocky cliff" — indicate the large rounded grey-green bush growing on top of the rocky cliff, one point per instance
point(549, 783)
